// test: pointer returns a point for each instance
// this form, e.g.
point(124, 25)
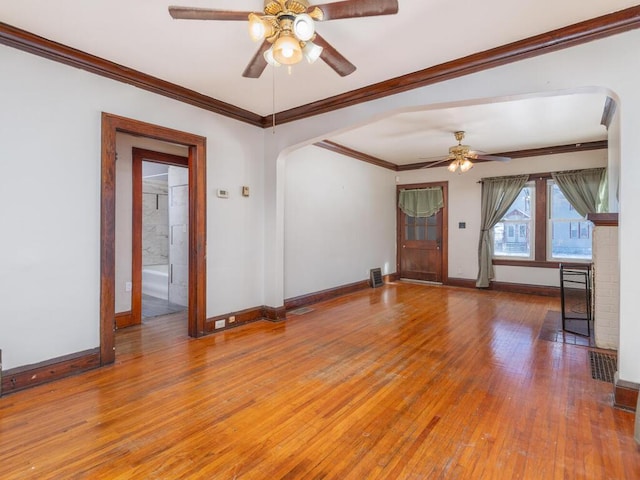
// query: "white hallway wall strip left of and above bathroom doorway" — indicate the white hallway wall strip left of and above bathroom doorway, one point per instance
point(124, 191)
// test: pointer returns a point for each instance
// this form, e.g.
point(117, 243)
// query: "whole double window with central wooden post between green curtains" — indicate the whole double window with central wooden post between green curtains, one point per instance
point(541, 226)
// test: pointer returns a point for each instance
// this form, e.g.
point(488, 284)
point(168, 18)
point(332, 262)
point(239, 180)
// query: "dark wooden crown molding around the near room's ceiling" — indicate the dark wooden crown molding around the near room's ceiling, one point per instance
point(572, 35)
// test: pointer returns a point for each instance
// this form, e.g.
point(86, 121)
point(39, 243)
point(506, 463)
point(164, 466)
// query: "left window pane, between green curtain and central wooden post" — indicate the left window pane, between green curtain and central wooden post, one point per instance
point(512, 236)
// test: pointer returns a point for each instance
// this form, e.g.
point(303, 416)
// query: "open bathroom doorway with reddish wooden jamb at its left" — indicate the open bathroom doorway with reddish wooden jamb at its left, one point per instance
point(160, 247)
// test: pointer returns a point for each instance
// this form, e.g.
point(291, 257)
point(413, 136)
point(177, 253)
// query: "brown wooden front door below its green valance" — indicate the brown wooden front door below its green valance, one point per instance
point(420, 255)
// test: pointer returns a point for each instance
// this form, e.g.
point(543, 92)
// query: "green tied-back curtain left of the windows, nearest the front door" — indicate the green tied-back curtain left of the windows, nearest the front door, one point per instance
point(498, 194)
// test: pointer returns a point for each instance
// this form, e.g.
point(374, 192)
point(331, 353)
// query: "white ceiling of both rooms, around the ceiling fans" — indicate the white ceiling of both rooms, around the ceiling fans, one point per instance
point(210, 56)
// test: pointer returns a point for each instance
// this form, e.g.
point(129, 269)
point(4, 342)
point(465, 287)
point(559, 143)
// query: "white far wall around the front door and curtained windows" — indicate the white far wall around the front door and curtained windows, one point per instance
point(464, 206)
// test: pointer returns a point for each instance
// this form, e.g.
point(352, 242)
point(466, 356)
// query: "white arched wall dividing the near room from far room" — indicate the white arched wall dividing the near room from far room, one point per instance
point(610, 63)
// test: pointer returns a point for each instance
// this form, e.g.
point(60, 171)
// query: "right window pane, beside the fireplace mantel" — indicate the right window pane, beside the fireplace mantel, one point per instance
point(570, 233)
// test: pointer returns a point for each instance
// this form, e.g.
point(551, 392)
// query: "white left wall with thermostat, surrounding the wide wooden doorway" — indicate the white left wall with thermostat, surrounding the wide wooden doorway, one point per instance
point(50, 132)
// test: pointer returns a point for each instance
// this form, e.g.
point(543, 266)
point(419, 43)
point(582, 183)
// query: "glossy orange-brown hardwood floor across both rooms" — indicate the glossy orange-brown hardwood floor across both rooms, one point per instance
point(401, 382)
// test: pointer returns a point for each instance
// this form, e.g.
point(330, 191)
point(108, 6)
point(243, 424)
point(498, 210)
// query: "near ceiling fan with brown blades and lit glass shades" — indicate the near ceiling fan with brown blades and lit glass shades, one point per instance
point(287, 30)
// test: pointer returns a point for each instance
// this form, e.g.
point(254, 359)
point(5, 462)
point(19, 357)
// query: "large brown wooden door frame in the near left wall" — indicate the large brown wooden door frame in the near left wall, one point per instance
point(111, 125)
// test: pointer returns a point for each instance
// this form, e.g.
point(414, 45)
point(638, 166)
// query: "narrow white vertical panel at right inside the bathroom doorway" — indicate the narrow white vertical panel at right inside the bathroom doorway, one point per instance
point(179, 235)
